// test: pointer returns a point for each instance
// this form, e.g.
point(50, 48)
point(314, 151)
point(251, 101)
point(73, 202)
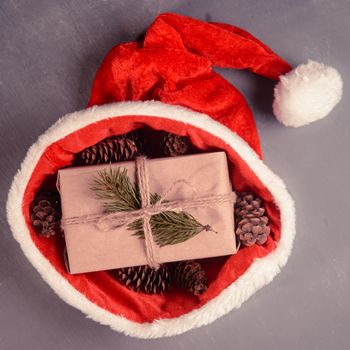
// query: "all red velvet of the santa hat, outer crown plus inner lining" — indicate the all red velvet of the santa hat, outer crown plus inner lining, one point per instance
point(173, 65)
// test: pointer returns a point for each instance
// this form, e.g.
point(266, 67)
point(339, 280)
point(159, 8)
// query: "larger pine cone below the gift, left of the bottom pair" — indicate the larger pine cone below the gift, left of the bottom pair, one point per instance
point(145, 278)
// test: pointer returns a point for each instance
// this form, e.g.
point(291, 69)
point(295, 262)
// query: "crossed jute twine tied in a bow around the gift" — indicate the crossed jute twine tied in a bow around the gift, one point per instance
point(109, 221)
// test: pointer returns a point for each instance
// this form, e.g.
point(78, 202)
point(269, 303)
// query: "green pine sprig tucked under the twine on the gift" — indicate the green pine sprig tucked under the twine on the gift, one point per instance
point(120, 194)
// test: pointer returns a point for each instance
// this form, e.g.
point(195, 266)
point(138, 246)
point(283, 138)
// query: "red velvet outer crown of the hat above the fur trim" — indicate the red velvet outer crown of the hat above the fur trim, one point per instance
point(174, 65)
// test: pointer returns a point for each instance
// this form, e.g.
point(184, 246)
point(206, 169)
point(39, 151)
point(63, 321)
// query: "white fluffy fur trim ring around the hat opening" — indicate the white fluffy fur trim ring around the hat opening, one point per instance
point(261, 272)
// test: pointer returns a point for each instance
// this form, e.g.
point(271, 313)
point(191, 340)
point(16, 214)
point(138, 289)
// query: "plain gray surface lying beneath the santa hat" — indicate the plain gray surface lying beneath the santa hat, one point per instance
point(49, 52)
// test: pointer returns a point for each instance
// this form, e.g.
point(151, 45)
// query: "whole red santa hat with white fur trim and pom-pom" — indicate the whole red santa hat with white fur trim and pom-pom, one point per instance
point(173, 65)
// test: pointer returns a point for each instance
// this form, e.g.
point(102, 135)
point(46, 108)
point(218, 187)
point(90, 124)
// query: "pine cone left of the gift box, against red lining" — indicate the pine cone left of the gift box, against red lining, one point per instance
point(46, 214)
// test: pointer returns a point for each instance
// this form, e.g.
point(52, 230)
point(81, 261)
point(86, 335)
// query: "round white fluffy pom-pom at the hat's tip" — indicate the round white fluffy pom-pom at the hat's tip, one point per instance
point(306, 94)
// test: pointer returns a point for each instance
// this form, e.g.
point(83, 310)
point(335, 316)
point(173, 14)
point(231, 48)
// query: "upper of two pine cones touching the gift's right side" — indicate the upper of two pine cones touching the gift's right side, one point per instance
point(248, 205)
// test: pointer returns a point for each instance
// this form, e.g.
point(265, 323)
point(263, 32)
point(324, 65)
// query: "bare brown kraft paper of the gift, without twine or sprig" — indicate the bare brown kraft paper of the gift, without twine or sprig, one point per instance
point(91, 249)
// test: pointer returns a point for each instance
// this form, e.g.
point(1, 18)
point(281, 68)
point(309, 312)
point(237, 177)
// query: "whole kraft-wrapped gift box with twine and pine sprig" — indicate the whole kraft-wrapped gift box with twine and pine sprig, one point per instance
point(189, 213)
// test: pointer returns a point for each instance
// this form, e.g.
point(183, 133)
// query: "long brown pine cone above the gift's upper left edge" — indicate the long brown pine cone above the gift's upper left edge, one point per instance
point(116, 149)
